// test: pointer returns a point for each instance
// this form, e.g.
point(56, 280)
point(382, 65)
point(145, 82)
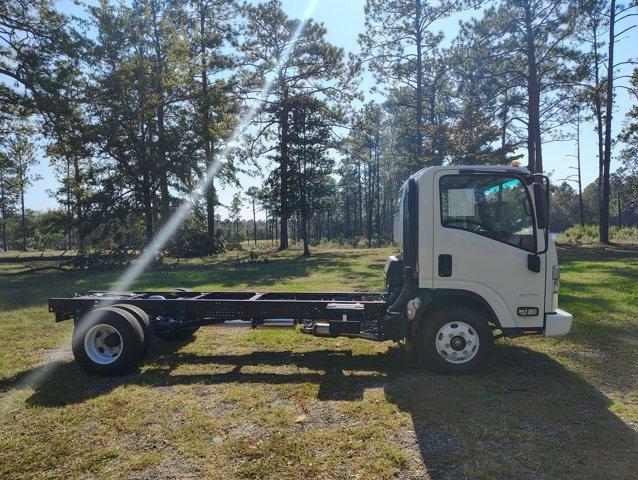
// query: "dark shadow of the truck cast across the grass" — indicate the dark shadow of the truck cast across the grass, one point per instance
point(527, 416)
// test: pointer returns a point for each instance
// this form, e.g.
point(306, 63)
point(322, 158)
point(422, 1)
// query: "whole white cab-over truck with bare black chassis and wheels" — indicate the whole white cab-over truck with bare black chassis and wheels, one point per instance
point(477, 263)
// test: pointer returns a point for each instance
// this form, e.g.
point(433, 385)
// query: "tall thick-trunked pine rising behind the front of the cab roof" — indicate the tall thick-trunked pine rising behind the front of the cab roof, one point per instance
point(523, 50)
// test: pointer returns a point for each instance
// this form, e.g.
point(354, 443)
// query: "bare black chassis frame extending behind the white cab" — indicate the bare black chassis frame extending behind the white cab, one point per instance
point(321, 314)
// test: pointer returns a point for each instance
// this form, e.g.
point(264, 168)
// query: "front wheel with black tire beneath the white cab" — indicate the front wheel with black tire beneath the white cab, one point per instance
point(453, 317)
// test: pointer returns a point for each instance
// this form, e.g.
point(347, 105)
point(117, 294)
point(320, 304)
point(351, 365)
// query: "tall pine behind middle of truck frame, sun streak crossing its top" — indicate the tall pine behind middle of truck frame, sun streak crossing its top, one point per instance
point(313, 67)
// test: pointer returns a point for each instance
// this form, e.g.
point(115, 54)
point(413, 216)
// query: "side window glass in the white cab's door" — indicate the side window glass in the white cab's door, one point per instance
point(493, 206)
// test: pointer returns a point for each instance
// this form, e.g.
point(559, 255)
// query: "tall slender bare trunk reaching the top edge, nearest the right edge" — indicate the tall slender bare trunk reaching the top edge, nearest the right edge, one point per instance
point(604, 219)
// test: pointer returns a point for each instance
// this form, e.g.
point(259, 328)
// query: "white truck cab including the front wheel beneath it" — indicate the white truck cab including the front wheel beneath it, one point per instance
point(475, 242)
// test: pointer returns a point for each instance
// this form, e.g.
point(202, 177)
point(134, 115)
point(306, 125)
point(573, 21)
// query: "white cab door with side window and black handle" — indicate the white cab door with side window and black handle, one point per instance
point(484, 230)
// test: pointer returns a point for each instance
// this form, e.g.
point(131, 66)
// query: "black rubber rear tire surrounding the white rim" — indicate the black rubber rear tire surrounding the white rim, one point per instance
point(129, 330)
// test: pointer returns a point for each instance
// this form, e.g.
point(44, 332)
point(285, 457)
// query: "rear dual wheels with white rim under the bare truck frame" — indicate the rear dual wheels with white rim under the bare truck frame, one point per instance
point(112, 340)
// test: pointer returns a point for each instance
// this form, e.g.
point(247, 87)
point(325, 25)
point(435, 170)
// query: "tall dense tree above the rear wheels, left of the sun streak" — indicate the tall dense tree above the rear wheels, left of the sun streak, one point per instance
point(134, 92)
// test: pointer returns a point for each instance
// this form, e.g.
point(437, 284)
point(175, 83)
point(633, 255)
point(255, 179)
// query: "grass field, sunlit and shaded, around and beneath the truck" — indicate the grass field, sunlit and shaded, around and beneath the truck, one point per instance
point(267, 404)
